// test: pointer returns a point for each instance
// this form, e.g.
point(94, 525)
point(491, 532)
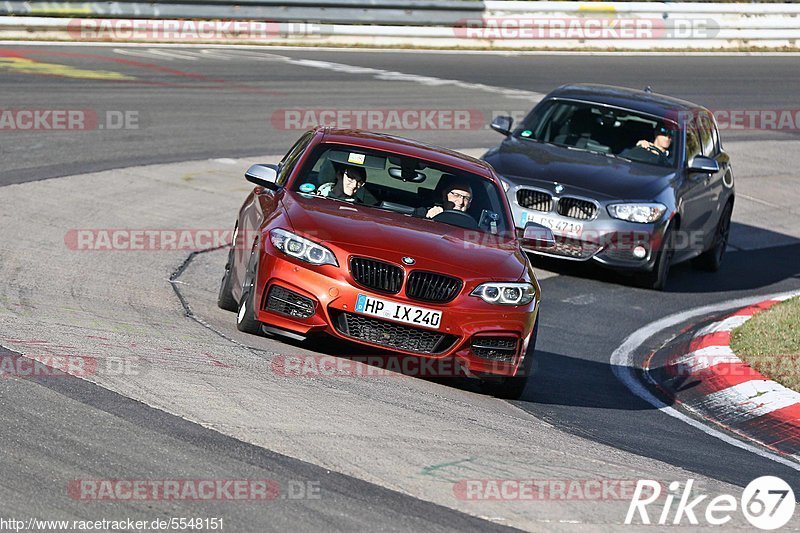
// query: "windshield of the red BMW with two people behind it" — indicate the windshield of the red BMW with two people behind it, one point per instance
point(405, 185)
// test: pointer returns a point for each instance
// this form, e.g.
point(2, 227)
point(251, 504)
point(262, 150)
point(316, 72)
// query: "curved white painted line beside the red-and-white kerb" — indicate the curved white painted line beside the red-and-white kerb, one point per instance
point(622, 366)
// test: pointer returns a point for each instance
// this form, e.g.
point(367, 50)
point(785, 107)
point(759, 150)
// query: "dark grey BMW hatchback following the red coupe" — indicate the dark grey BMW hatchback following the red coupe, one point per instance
point(629, 179)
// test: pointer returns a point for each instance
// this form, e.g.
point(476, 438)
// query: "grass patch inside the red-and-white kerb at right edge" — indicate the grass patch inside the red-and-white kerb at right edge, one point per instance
point(770, 343)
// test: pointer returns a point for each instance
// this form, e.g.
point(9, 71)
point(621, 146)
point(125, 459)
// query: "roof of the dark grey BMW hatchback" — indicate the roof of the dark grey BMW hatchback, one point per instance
point(637, 100)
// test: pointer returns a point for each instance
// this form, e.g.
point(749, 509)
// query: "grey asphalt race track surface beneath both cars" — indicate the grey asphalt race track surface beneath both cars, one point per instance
point(168, 134)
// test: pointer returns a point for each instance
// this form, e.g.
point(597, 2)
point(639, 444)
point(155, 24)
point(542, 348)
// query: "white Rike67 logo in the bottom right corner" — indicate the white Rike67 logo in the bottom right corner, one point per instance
point(767, 503)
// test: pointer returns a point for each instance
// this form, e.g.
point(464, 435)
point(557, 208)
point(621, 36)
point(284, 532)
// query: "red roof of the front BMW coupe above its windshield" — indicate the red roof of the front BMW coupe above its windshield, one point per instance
point(408, 147)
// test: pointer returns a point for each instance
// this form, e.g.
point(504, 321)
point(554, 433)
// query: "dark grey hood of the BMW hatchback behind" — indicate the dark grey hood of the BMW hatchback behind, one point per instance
point(595, 175)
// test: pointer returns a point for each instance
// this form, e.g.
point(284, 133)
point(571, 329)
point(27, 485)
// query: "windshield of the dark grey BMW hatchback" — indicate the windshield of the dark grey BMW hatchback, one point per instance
point(606, 130)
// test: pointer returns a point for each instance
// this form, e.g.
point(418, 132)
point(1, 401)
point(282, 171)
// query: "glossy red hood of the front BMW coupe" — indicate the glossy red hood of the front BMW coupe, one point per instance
point(391, 236)
